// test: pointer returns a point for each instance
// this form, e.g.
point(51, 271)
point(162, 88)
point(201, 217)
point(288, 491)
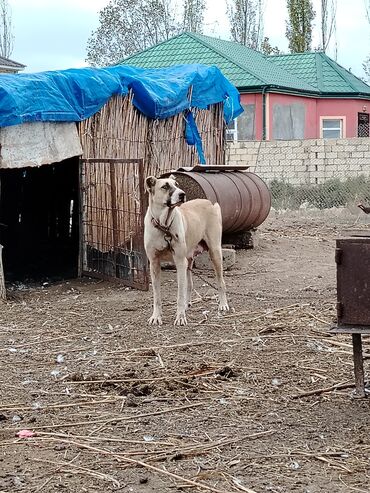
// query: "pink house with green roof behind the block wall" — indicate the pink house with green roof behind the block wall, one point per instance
point(297, 96)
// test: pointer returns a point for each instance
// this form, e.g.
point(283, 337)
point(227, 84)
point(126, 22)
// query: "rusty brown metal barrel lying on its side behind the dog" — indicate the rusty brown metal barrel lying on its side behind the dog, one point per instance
point(244, 197)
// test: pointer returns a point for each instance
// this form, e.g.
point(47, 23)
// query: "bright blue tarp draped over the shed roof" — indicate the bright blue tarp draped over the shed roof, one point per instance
point(76, 94)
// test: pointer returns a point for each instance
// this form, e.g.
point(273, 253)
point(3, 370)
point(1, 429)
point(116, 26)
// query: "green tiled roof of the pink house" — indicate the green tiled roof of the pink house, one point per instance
point(250, 71)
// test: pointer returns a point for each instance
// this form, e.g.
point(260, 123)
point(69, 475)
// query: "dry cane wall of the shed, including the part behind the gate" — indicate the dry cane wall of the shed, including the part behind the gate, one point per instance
point(120, 131)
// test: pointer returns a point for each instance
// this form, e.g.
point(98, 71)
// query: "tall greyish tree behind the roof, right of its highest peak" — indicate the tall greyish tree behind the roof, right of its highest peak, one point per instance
point(246, 19)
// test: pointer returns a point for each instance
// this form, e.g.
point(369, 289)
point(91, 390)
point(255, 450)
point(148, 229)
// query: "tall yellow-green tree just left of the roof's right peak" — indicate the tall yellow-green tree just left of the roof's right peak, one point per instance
point(299, 25)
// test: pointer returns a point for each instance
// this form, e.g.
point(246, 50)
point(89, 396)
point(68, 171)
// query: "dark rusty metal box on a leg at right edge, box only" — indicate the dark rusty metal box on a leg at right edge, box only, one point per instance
point(352, 257)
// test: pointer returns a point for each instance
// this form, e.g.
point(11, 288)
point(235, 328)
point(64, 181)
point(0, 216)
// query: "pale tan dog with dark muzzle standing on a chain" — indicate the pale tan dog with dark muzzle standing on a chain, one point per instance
point(176, 230)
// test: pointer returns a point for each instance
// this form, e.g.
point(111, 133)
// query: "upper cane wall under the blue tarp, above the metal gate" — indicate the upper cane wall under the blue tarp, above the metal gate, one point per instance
point(119, 130)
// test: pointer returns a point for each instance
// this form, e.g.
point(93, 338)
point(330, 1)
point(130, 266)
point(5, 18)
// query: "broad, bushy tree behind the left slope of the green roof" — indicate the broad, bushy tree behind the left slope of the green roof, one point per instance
point(128, 26)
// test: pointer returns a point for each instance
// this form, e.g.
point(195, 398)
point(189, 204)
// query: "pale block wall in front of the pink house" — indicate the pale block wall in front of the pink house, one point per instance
point(303, 161)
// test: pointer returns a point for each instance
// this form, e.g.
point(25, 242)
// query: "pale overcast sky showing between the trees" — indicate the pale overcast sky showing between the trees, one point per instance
point(52, 34)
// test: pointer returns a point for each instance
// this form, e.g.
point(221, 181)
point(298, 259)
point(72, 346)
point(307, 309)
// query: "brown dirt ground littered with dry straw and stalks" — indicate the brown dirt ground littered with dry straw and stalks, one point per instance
point(216, 406)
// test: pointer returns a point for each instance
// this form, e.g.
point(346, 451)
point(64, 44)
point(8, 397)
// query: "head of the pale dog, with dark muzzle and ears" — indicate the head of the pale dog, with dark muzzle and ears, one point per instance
point(165, 191)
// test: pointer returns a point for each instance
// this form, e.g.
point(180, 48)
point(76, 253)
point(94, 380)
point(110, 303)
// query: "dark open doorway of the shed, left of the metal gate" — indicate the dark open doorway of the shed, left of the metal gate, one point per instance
point(39, 221)
